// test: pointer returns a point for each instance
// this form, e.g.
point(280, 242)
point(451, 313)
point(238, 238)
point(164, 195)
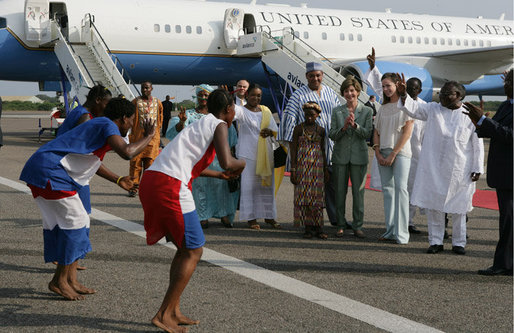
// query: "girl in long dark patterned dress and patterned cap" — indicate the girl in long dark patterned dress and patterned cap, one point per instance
point(309, 172)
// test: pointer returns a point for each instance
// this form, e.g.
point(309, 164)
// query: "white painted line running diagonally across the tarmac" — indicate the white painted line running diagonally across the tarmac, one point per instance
point(344, 305)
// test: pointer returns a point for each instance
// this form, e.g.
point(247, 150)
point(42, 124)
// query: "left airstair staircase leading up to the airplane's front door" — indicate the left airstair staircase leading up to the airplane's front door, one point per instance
point(89, 62)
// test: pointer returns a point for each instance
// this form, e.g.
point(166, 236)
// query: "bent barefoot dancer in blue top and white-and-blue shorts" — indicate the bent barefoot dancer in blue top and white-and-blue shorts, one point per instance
point(61, 168)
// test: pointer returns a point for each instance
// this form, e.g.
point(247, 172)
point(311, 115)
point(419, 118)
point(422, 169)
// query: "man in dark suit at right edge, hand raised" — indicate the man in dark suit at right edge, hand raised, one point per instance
point(499, 172)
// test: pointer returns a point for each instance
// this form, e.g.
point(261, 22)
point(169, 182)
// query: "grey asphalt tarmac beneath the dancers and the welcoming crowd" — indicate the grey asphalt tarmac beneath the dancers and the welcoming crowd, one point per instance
point(251, 281)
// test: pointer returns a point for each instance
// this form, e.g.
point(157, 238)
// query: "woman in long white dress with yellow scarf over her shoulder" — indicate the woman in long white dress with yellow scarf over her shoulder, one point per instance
point(256, 124)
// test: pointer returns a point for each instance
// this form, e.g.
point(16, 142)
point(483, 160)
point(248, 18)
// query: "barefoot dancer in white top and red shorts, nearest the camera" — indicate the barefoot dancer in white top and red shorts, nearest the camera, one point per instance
point(165, 193)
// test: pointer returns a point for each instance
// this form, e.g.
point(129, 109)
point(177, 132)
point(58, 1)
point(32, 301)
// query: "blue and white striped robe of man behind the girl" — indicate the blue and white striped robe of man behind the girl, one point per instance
point(293, 114)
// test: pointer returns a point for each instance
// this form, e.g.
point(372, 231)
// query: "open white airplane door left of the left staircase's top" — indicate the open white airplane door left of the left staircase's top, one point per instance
point(37, 21)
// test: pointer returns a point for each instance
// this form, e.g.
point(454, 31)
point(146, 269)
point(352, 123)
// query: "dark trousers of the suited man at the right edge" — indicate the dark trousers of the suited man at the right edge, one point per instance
point(503, 253)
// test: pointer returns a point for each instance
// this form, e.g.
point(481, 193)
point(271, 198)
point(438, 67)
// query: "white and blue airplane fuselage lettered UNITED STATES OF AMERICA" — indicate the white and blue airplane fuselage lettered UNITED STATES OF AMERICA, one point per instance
point(182, 42)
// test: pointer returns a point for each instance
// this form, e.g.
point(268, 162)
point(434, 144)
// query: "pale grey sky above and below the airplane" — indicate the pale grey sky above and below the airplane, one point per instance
point(464, 8)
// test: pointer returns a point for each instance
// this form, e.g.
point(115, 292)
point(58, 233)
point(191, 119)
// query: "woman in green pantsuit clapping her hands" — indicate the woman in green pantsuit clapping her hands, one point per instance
point(350, 127)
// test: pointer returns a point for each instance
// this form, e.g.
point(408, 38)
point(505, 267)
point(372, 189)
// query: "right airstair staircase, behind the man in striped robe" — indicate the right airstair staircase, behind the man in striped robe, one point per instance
point(287, 56)
